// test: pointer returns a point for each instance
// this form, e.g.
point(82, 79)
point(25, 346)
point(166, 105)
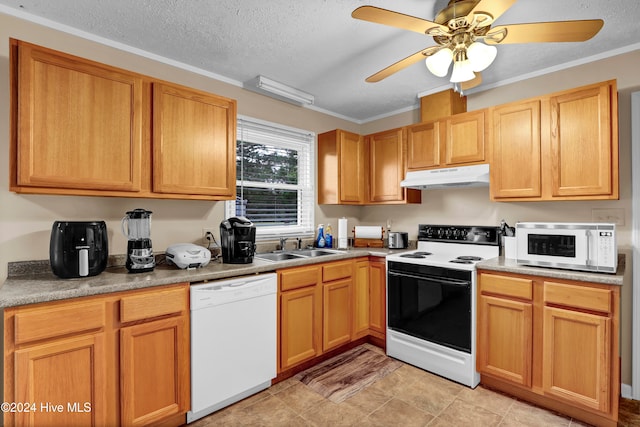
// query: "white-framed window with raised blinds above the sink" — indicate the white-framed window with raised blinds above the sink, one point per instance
point(274, 168)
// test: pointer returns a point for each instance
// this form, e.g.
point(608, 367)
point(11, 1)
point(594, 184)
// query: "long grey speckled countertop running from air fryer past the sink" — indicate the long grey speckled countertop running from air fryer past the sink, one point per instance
point(30, 288)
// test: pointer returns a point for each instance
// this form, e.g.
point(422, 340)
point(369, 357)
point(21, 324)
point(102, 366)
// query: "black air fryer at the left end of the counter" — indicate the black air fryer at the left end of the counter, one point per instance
point(78, 248)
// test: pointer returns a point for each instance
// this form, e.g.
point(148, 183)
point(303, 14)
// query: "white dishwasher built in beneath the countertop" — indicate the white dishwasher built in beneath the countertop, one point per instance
point(233, 341)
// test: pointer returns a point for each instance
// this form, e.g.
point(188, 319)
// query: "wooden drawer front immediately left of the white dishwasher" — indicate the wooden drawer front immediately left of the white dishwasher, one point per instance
point(156, 303)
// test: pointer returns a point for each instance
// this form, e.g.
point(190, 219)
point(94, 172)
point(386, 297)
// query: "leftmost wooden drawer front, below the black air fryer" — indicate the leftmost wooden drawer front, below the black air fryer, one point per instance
point(64, 319)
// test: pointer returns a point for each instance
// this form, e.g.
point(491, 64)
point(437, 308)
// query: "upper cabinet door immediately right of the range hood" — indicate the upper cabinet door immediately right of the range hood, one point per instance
point(515, 163)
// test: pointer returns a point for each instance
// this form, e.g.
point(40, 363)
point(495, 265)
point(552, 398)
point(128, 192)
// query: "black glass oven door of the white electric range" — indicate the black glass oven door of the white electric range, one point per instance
point(430, 303)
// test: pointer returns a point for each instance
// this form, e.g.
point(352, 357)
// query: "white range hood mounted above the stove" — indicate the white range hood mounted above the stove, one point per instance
point(463, 176)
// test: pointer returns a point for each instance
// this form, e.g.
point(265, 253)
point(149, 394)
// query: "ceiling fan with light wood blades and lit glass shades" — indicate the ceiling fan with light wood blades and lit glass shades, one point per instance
point(458, 31)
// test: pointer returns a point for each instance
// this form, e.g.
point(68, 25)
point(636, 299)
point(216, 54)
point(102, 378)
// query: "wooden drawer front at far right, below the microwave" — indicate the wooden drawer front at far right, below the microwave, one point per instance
point(578, 296)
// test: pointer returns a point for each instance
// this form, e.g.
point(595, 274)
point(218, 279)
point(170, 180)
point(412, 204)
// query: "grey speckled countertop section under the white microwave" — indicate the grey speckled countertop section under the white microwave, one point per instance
point(507, 265)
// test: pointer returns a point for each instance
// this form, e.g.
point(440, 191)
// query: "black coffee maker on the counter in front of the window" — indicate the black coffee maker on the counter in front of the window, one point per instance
point(238, 240)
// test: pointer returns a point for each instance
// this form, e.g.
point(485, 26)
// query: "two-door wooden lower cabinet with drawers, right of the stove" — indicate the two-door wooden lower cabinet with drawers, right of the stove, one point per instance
point(552, 342)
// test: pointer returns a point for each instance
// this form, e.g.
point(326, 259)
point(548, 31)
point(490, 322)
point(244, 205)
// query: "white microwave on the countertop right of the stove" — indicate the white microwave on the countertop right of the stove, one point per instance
point(572, 246)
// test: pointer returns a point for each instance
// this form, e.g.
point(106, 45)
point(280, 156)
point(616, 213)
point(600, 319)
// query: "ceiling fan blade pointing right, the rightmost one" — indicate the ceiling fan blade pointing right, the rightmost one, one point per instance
point(543, 32)
